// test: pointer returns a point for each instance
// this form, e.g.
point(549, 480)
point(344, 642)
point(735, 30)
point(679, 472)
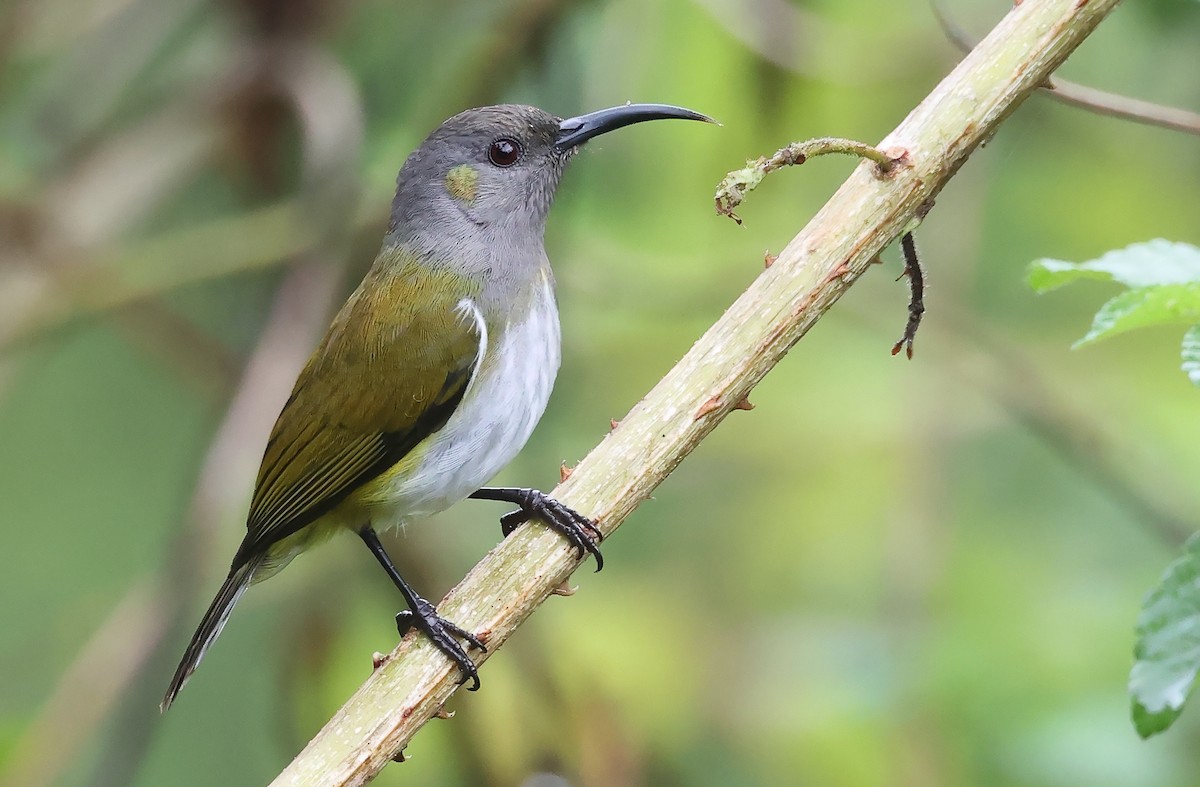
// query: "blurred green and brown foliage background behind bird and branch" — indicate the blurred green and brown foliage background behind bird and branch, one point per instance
point(890, 573)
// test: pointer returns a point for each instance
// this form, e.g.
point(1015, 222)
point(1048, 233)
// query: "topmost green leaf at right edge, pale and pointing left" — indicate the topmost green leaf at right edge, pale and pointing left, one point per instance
point(1156, 262)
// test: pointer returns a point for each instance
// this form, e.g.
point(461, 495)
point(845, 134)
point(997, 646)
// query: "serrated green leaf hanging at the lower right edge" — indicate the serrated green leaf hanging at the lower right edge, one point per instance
point(1167, 653)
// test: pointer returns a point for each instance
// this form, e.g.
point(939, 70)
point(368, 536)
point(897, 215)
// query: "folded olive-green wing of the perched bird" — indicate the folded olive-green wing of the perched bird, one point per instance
point(391, 373)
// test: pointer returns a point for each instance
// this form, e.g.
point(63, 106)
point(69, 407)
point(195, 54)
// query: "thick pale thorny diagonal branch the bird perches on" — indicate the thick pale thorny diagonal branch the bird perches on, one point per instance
point(867, 214)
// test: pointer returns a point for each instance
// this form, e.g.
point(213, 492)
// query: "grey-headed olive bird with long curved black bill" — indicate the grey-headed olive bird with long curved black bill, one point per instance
point(436, 370)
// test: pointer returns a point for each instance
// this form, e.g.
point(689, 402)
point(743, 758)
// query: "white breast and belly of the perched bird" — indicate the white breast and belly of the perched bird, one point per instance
point(499, 413)
